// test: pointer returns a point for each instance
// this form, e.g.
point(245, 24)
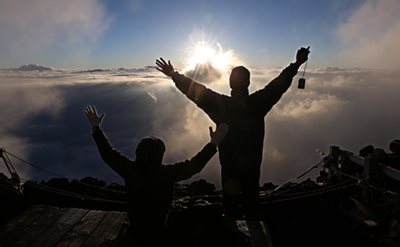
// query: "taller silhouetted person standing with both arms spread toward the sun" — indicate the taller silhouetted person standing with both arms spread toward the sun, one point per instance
point(240, 153)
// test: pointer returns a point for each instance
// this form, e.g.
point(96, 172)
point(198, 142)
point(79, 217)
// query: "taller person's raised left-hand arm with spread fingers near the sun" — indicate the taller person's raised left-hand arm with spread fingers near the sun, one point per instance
point(198, 93)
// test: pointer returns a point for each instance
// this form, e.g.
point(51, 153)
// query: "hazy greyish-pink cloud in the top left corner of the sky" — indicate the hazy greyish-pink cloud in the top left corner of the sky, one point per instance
point(33, 27)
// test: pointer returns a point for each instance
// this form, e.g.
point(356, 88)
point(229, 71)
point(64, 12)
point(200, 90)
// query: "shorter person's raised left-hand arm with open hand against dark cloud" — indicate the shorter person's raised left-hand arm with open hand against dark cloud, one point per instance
point(110, 155)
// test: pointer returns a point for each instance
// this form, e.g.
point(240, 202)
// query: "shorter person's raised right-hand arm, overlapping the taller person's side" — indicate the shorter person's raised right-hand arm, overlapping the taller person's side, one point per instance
point(187, 169)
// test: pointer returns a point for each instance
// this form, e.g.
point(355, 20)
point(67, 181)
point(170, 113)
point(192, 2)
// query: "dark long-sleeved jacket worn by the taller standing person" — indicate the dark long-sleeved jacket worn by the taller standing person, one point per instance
point(242, 146)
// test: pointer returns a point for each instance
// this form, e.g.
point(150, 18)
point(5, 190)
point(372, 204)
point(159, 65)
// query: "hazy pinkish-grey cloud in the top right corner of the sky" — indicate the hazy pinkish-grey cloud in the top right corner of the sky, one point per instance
point(370, 36)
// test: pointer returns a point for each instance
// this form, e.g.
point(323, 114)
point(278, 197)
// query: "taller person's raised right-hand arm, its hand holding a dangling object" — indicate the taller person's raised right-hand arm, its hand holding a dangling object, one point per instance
point(271, 93)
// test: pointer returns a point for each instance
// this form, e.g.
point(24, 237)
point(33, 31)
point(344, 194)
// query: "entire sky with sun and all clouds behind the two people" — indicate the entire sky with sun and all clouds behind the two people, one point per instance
point(350, 99)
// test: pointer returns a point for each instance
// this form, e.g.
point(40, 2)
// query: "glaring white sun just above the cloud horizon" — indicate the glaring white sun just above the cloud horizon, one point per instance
point(204, 53)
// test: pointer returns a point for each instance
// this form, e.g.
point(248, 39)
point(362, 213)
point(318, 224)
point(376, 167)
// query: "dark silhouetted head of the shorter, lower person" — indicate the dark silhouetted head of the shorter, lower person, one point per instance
point(150, 151)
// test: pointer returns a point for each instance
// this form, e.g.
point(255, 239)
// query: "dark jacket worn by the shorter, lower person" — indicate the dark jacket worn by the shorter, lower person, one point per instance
point(150, 191)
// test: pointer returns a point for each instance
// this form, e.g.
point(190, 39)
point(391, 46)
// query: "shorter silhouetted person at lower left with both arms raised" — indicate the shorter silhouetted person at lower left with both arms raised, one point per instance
point(149, 183)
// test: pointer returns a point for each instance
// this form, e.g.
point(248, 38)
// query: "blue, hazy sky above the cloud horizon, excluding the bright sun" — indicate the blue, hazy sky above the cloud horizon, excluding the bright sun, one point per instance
point(133, 33)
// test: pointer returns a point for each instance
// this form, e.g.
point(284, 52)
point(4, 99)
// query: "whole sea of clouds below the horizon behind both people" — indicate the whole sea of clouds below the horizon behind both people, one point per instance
point(45, 123)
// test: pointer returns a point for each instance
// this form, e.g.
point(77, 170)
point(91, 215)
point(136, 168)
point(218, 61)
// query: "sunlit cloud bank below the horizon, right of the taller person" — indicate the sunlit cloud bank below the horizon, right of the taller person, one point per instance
point(347, 108)
